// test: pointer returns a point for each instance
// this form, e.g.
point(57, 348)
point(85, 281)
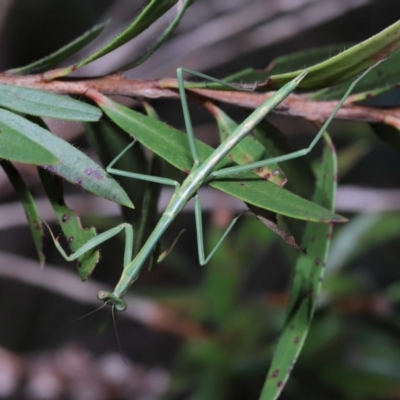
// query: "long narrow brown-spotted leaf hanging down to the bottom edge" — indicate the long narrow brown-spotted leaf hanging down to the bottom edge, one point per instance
point(307, 280)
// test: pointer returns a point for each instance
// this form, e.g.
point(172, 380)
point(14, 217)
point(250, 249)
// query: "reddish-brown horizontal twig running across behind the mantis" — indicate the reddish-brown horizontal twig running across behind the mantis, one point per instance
point(294, 105)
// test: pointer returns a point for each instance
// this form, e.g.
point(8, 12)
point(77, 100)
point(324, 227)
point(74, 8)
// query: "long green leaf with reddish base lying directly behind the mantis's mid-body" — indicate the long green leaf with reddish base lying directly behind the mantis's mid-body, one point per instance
point(172, 145)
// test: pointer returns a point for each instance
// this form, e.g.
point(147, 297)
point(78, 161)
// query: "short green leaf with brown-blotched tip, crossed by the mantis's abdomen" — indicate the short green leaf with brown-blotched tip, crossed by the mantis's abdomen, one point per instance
point(248, 150)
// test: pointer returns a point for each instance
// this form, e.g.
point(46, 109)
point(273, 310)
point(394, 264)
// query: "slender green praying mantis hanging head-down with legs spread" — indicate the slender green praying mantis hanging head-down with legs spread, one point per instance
point(199, 175)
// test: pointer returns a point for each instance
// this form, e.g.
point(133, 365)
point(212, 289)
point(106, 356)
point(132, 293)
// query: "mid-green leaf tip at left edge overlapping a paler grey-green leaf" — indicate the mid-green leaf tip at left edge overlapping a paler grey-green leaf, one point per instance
point(14, 146)
